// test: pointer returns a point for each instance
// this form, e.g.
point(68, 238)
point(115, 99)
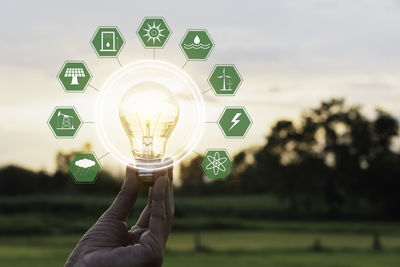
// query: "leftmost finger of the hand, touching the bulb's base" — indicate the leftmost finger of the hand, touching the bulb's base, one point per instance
point(126, 198)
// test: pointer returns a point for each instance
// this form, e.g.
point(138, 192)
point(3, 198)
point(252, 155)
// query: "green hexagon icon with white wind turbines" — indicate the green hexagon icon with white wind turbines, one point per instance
point(225, 80)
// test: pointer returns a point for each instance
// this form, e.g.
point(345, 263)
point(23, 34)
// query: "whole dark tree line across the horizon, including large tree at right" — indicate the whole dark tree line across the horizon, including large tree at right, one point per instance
point(333, 160)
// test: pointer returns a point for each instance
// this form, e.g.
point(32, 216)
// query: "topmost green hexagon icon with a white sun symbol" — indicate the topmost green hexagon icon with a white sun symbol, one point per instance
point(153, 32)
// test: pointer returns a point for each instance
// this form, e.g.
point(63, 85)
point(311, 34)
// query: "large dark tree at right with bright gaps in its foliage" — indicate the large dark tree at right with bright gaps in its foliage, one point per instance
point(327, 158)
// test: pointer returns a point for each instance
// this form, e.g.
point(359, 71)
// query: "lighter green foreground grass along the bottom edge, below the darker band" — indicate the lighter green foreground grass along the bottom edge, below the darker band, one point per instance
point(226, 248)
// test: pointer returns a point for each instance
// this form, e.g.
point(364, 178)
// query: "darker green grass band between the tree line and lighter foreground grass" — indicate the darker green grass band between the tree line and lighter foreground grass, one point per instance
point(50, 214)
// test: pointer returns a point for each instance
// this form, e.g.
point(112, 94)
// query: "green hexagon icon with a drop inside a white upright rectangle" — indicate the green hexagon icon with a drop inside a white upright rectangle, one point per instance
point(107, 41)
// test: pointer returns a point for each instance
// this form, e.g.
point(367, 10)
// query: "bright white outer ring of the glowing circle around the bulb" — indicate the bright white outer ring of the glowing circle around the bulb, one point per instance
point(162, 67)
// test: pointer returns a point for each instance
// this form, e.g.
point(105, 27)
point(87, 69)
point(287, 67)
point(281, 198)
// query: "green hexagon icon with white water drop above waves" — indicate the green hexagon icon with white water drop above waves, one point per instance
point(197, 44)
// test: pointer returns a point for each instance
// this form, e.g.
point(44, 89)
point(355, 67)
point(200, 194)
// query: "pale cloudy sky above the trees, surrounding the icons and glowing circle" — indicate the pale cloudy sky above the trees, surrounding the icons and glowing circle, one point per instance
point(290, 54)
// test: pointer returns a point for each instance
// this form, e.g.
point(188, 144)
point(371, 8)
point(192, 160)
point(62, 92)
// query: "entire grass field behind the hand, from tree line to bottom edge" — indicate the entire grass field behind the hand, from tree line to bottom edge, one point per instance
point(234, 230)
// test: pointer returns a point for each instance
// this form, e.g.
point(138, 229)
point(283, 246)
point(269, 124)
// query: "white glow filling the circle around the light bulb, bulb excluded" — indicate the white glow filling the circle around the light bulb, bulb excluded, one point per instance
point(188, 130)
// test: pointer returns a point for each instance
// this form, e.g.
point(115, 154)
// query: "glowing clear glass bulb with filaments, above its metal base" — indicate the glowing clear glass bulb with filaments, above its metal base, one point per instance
point(148, 112)
